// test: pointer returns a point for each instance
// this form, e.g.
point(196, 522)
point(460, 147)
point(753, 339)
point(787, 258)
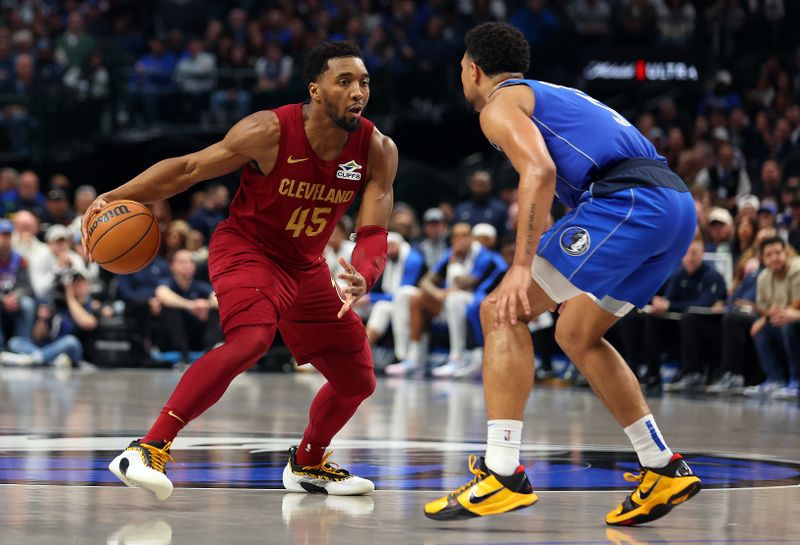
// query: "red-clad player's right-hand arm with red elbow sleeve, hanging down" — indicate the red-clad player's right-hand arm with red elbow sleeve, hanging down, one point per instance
point(369, 255)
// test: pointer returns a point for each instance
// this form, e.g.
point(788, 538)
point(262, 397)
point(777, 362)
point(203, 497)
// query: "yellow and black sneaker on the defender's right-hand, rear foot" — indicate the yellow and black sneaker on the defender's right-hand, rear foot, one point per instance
point(659, 490)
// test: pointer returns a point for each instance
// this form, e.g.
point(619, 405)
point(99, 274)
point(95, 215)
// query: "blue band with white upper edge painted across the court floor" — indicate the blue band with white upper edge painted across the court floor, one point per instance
point(250, 462)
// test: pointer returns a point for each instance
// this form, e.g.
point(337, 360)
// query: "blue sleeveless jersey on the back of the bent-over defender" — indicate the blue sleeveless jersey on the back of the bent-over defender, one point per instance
point(583, 136)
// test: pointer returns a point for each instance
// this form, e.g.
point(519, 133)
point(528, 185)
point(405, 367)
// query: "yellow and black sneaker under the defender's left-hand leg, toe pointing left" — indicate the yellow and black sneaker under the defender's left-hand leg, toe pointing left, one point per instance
point(486, 494)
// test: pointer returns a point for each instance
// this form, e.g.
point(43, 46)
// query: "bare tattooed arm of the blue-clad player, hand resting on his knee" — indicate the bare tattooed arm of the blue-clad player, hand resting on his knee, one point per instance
point(507, 124)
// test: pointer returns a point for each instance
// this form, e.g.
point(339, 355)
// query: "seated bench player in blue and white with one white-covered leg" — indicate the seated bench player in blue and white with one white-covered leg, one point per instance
point(445, 292)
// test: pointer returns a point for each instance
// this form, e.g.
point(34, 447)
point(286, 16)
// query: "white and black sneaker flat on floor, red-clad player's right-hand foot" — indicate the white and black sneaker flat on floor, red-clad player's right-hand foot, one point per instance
point(325, 478)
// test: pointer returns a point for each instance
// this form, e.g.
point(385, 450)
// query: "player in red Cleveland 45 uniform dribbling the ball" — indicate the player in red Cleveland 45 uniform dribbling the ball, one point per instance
point(302, 166)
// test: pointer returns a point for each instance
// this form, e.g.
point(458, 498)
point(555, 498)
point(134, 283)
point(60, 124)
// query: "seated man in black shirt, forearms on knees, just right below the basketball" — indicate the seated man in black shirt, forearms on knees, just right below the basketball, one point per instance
point(186, 304)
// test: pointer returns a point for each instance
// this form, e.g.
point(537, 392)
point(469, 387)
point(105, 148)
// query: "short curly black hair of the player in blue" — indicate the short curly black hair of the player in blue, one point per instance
point(498, 48)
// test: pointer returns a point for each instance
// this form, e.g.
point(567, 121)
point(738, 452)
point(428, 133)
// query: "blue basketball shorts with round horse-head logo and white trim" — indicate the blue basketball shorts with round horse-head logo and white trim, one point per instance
point(619, 248)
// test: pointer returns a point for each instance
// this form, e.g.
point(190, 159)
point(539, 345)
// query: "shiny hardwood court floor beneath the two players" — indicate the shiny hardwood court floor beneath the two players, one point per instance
point(58, 431)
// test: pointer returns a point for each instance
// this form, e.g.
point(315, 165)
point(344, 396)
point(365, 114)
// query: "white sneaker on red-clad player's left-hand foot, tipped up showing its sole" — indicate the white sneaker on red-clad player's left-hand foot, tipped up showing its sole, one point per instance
point(141, 465)
